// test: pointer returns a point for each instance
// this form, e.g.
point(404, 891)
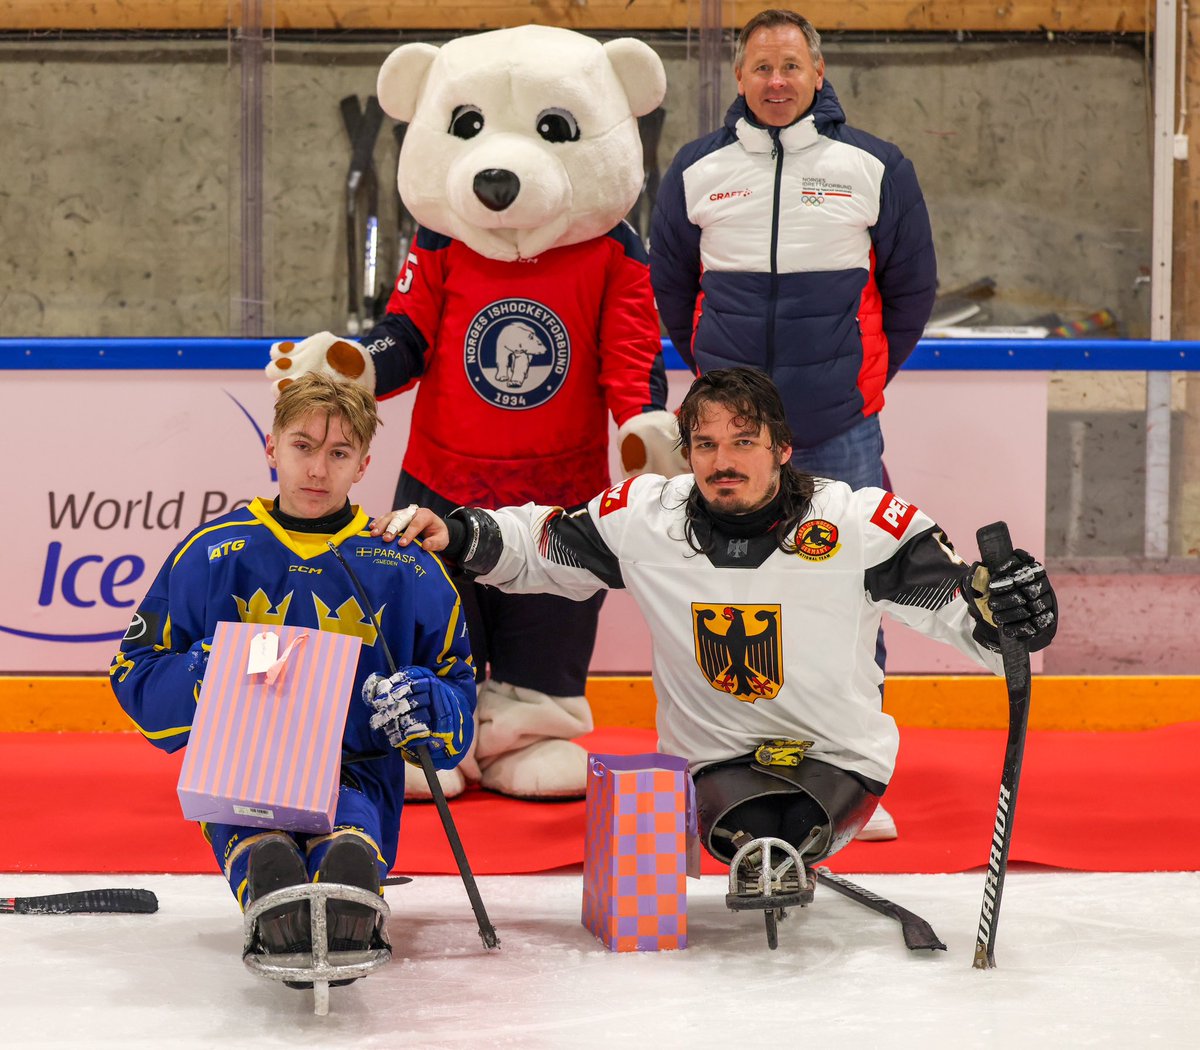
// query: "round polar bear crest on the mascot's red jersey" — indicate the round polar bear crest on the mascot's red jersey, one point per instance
point(517, 353)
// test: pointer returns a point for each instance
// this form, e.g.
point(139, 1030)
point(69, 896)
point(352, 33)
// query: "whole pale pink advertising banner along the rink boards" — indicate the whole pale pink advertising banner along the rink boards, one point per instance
point(109, 470)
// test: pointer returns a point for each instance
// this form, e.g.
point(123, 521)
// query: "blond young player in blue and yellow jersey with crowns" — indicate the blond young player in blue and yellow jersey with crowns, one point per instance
point(319, 445)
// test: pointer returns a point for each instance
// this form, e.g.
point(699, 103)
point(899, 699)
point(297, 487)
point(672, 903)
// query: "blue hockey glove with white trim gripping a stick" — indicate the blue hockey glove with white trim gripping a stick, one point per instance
point(417, 709)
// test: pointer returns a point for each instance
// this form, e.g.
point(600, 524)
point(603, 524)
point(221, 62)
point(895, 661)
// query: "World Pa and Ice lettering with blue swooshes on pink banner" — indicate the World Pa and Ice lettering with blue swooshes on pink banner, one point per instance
point(76, 577)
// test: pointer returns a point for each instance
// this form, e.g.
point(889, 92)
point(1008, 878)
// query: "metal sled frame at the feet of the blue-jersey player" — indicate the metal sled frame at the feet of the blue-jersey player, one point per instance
point(321, 968)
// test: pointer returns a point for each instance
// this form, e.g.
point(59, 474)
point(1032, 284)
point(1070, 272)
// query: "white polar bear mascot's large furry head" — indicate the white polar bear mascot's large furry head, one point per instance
point(521, 140)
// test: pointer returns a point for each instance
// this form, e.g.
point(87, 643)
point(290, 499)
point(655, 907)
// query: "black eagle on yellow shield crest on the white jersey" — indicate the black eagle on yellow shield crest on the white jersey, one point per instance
point(740, 650)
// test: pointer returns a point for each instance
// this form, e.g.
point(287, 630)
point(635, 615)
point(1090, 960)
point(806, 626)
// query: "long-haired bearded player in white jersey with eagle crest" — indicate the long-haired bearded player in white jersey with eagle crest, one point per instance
point(764, 590)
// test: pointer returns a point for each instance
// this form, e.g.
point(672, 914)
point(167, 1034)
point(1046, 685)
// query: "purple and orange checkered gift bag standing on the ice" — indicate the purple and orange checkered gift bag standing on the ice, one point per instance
point(640, 849)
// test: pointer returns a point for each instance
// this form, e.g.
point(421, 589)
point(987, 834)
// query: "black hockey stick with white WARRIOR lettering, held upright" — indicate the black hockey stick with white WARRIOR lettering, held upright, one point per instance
point(995, 548)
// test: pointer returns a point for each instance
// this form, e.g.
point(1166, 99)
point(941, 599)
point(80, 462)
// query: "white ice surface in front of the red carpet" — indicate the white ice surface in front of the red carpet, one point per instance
point(1084, 961)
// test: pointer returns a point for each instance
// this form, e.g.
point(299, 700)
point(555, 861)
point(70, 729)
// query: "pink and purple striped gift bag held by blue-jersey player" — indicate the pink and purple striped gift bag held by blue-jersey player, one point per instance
point(266, 749)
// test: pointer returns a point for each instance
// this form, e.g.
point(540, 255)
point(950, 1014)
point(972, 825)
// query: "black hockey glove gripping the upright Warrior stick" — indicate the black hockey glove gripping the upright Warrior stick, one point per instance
point(1018, 601)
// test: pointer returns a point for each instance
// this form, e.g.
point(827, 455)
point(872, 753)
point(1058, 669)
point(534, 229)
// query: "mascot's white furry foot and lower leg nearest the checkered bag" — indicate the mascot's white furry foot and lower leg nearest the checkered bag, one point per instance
point(525, 743)
